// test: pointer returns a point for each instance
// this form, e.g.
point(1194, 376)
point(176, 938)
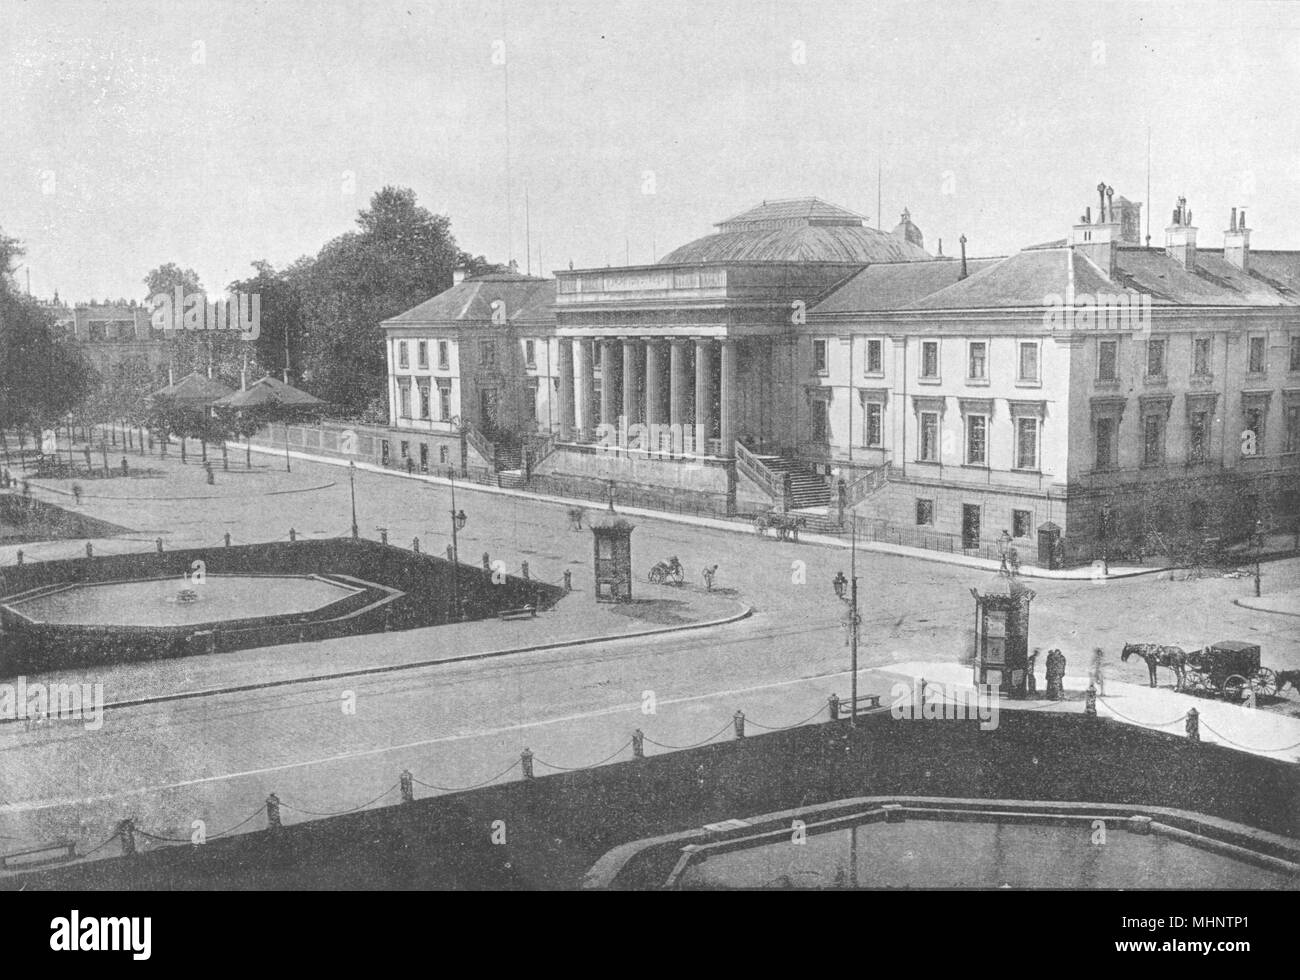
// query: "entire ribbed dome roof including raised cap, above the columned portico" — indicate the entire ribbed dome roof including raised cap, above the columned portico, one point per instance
point(804, 231)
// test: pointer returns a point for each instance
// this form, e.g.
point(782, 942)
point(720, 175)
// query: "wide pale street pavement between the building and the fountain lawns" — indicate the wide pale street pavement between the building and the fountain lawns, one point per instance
point(215, 758)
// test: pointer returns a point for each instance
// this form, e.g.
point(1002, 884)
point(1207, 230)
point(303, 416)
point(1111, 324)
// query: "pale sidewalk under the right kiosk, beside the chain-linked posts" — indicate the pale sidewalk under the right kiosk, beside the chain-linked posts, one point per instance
point(1267, 734)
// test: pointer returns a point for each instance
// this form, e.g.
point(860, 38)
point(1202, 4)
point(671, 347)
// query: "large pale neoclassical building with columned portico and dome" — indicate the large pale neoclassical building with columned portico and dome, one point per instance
point(799, 359)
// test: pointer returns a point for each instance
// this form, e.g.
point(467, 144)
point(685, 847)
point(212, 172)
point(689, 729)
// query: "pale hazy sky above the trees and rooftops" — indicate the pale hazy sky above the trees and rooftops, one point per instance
point(216, 133)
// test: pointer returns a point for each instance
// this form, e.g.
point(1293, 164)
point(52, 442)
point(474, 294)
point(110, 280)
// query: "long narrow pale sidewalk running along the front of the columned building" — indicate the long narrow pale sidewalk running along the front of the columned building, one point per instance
point(1082, 574)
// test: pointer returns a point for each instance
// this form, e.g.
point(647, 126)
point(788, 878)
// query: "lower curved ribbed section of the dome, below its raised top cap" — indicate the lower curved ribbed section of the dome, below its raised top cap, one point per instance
point(799, 244)
